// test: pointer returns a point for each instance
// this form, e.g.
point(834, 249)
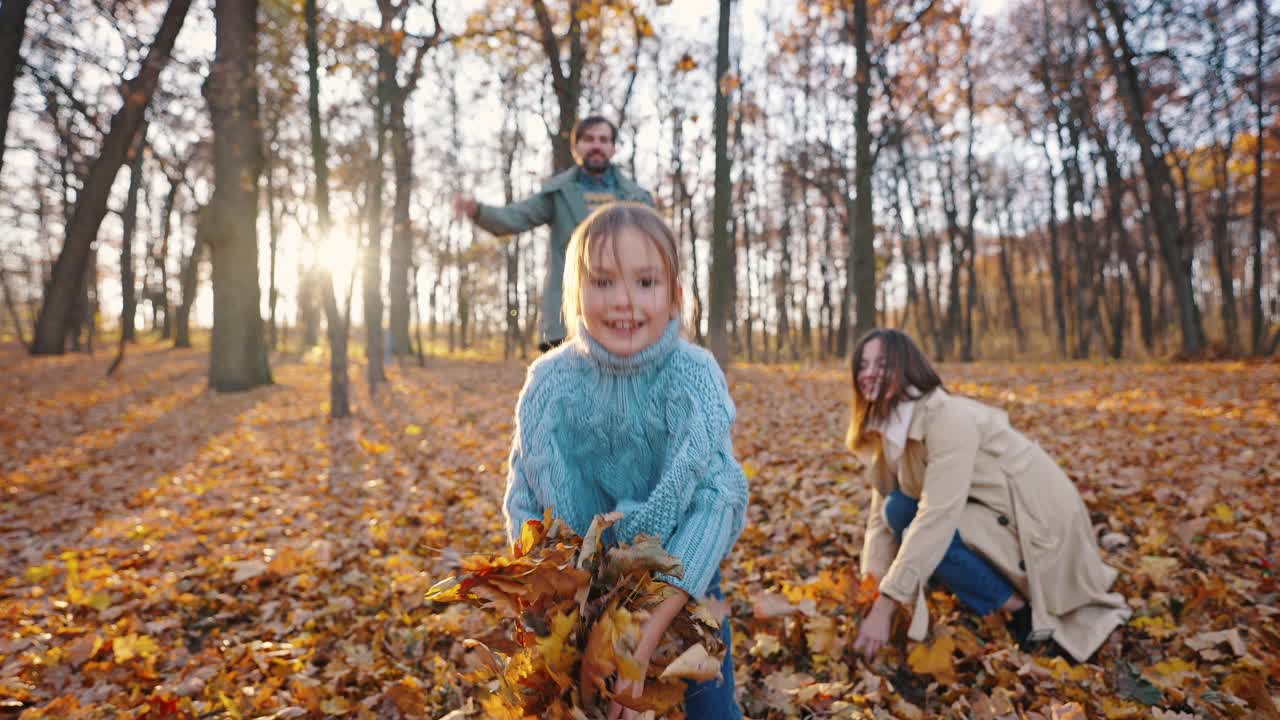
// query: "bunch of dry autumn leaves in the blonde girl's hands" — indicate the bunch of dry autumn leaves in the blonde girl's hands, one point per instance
point(577, 610)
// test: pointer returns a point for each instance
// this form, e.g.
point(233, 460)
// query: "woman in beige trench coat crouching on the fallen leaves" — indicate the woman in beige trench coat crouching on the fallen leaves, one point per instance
point(961, 496)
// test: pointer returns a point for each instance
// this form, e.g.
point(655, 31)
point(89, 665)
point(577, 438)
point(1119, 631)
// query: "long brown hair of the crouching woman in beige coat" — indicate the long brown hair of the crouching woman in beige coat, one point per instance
point(908, 376)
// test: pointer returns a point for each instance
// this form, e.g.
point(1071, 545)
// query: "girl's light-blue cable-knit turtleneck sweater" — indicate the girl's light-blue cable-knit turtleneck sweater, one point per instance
point(647, 435)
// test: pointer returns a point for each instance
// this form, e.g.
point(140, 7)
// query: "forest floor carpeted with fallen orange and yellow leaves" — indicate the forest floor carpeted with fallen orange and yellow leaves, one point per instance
point(171, 553)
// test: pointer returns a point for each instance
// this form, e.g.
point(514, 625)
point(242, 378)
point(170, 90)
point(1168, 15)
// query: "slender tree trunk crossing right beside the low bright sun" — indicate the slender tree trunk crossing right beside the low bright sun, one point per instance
point(337, 326)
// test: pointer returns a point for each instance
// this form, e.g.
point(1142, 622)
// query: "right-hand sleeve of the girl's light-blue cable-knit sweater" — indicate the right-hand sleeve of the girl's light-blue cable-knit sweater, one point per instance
point(700, 504)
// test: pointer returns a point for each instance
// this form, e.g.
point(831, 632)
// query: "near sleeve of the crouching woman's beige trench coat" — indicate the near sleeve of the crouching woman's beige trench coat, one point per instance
point(952, 450)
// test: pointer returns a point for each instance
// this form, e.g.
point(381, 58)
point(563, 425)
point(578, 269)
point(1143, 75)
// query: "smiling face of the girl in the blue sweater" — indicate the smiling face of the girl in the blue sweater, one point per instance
point(627, 298)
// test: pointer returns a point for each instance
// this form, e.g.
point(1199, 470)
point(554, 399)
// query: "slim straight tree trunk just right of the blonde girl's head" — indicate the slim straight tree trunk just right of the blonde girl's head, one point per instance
point(723, 262)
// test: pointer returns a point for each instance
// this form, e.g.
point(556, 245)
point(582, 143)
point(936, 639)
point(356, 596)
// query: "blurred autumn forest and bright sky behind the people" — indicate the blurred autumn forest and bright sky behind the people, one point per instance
point(1021, 180)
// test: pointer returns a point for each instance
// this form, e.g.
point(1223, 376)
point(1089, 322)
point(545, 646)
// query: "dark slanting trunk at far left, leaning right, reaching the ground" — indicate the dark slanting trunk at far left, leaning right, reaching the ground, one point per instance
point(68, 276)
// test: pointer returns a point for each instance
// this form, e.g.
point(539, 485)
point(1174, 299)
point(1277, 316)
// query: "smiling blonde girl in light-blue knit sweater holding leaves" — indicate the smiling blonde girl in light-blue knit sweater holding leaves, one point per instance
point(628, 416)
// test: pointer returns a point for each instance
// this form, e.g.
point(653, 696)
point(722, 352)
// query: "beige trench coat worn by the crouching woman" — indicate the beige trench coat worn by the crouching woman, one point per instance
point(1012, 504)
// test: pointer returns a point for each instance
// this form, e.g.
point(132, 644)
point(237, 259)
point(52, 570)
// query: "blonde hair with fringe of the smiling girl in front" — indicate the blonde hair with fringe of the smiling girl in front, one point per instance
point(600, 233)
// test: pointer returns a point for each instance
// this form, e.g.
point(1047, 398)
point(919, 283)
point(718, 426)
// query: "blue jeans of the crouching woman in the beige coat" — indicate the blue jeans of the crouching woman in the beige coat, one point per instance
point(963, 572)
